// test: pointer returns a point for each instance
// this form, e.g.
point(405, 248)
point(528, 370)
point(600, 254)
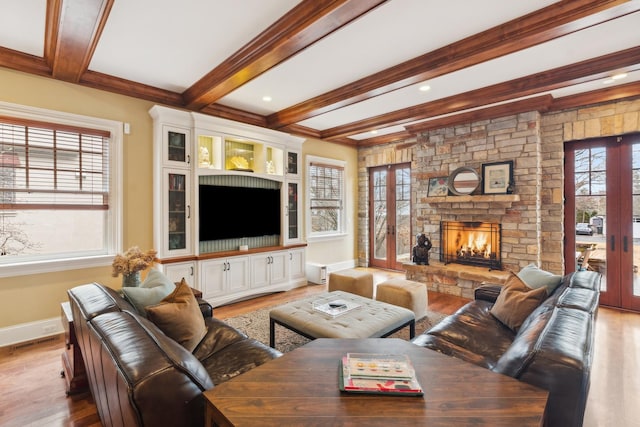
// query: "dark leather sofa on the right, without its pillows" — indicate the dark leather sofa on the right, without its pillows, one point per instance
point(553, 349)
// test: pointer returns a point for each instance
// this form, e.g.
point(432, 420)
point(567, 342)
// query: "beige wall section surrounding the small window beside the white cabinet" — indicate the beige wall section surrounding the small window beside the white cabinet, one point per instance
point(344, 249)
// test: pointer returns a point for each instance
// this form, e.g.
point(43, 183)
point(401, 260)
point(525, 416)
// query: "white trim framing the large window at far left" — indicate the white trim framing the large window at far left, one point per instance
point(114, 239)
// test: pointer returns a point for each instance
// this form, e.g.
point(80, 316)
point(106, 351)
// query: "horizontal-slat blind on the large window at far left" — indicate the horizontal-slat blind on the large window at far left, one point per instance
point(52, 166)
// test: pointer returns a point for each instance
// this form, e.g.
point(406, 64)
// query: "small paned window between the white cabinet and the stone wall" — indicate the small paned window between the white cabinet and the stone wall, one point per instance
point(326, 197)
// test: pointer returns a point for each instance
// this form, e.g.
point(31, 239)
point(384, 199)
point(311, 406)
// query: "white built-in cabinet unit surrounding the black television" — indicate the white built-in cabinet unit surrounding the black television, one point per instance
point(188, 146)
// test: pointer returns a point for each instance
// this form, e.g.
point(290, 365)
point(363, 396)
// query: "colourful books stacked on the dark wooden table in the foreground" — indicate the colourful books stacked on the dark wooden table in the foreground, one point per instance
point(378, 374)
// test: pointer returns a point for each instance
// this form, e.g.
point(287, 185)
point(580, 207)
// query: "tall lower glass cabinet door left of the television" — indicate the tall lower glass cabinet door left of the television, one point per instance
point(178, 212)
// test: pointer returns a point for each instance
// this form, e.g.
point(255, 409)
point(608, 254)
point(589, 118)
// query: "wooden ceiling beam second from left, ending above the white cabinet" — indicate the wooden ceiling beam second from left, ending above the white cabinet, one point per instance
point(301, 27)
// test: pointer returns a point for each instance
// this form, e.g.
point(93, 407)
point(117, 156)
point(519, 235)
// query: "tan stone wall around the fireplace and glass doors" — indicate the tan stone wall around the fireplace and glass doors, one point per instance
point(533, 226)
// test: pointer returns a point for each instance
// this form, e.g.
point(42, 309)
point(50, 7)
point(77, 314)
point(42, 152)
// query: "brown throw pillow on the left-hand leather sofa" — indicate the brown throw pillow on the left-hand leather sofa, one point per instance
point(179, 317)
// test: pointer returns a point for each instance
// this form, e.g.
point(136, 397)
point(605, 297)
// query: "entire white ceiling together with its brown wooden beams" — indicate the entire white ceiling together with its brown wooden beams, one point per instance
point(347, 71)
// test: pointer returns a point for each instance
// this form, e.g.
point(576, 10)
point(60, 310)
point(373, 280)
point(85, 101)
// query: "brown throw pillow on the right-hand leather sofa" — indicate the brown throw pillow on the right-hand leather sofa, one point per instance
point(516, 302)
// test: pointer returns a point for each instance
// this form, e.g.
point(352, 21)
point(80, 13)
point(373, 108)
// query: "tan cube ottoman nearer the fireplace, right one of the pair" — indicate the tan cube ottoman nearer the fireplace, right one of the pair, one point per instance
point(404, 293)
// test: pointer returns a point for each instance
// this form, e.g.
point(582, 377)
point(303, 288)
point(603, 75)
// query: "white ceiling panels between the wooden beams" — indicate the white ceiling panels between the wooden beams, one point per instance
point(170, 45)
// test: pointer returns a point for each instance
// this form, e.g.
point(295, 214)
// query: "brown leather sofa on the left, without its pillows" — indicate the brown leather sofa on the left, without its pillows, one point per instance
point(140, 377)
